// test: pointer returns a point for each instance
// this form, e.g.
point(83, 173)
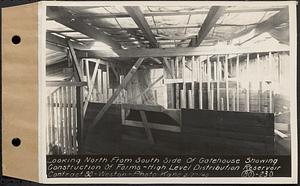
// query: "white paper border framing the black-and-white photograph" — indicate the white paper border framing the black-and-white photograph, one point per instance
point(165, 180)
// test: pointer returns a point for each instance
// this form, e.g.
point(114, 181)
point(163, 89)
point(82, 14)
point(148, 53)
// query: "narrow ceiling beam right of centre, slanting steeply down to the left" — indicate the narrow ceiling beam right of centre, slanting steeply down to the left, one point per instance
point(215, 12)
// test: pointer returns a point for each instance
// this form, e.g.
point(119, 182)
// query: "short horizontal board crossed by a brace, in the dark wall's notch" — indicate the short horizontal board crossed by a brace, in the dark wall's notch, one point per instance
point(156, 126)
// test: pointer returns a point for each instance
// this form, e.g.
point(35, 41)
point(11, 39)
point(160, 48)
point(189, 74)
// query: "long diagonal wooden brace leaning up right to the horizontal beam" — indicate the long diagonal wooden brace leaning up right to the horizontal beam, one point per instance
point(116, 93)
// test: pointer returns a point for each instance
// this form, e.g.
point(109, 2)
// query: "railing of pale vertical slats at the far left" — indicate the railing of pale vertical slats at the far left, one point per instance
point(65, 118)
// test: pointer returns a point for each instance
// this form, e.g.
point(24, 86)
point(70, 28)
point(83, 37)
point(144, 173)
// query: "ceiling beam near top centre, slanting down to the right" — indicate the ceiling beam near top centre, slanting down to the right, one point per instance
point(137, 15)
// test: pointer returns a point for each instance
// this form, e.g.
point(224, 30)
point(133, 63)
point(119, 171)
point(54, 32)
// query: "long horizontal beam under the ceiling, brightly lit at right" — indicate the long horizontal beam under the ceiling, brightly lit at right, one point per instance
point(189, 51)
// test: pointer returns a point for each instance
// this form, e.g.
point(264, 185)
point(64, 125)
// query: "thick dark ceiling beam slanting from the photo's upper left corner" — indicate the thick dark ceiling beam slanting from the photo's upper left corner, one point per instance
point(63, 16)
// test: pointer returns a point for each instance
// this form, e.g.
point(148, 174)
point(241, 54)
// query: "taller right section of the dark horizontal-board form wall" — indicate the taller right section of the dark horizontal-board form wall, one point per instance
point(240, 131)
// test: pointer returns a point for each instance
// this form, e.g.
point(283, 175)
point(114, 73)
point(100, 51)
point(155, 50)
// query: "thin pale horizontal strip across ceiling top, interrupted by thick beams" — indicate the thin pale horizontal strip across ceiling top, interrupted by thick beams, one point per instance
point(150, 14)
